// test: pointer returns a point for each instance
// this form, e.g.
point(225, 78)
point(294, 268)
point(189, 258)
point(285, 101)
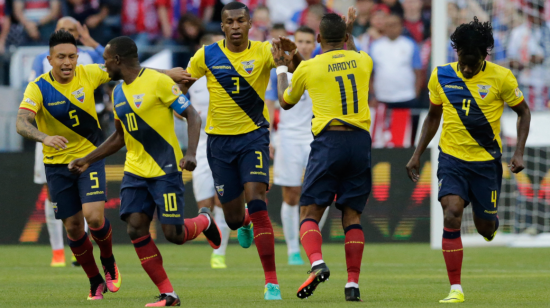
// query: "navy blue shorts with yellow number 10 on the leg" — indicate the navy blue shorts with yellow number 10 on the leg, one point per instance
point(144, 195)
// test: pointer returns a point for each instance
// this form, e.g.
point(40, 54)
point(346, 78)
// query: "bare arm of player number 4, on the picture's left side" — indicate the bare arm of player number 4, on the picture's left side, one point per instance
point(429, 128)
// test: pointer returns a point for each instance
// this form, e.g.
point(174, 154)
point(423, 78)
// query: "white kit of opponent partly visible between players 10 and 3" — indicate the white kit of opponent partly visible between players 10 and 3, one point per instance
point(203, 182)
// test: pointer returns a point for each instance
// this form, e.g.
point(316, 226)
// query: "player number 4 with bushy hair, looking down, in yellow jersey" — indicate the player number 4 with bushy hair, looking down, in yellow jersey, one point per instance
point(470, 94)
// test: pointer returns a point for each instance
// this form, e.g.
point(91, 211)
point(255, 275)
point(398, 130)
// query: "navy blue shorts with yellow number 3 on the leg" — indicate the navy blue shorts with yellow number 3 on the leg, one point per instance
point(238, 159)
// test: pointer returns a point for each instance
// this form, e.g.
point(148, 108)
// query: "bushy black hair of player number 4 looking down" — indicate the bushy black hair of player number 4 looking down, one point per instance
point(474, 37)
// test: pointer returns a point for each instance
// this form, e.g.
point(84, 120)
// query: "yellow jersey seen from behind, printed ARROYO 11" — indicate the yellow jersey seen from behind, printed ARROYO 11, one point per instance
point(338, 84)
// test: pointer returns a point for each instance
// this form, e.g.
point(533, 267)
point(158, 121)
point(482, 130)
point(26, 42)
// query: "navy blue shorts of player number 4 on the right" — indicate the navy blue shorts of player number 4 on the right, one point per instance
point(475, 182)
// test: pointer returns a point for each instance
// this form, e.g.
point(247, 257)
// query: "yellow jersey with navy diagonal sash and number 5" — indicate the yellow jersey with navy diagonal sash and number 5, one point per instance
point(67, 110)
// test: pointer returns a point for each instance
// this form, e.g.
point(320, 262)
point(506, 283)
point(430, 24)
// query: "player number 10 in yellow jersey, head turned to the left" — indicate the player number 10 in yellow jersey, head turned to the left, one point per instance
point(144, 104)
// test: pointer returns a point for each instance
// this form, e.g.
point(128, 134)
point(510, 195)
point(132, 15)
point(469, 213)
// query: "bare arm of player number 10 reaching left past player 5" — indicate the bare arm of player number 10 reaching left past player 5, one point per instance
point(110, 146)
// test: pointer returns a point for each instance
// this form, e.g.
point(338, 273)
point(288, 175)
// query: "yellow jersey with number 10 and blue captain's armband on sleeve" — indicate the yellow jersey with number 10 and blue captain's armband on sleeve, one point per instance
point(144, 108)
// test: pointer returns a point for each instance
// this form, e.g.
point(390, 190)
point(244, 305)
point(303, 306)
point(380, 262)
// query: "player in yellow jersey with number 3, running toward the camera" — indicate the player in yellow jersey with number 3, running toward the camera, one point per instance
point(237, 72)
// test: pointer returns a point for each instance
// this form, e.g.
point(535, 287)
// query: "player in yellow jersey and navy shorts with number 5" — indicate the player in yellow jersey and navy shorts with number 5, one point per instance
point(62, 102)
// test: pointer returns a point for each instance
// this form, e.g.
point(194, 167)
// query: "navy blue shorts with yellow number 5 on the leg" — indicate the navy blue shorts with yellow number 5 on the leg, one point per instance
point(69, 191)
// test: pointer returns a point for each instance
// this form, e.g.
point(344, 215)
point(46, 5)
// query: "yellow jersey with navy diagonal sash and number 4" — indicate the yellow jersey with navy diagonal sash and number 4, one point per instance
point(472, 109)
